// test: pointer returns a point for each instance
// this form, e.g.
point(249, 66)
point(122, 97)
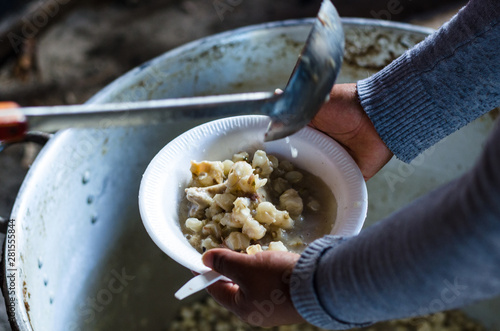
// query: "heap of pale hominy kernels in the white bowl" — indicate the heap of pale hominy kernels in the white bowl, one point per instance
point(231, 204)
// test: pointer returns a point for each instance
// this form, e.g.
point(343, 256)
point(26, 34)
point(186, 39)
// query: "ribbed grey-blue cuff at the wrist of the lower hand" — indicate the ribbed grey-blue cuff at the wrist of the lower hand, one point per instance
point(302, 286)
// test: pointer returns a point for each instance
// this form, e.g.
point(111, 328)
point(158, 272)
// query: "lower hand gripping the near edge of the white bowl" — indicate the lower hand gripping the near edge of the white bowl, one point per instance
point(260, 291)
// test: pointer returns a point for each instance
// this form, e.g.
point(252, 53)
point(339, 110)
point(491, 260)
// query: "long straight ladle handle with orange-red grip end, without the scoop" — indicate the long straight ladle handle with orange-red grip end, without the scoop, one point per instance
point(14, 121)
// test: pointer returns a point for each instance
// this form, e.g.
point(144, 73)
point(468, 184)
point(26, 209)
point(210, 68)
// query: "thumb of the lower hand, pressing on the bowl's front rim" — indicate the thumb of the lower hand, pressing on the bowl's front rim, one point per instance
point(226, 262)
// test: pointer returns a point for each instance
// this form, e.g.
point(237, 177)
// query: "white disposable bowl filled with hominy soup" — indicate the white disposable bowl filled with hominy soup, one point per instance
point(220, 185)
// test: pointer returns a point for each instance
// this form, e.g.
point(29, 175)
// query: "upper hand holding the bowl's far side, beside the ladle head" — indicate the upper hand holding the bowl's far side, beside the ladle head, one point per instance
point(343, 119)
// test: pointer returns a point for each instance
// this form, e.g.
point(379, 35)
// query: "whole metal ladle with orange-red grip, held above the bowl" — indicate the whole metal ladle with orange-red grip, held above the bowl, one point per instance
point(308, 88)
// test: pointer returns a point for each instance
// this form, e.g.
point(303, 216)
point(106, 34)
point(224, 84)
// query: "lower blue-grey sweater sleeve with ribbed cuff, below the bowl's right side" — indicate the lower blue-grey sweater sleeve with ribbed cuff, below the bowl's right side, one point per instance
point(441, 252)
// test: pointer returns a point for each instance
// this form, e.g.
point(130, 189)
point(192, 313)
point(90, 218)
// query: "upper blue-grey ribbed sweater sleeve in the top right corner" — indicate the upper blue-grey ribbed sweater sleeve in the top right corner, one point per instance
point(440, 85)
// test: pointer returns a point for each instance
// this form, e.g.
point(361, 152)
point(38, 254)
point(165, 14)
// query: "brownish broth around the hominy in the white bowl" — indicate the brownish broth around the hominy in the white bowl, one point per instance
point(316, 219)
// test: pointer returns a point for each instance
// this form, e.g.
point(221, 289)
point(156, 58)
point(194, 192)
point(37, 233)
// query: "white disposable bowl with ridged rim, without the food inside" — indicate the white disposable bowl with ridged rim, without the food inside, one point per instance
point(168, 174)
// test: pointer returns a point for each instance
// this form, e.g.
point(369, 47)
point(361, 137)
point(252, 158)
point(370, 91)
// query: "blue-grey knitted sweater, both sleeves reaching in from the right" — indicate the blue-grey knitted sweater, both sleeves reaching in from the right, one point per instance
point(443, 250)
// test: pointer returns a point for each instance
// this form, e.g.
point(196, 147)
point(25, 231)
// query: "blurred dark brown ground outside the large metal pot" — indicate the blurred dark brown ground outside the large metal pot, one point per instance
point(97, 43)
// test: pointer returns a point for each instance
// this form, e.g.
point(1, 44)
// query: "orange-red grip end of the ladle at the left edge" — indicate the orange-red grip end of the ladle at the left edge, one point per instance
point(13, 123)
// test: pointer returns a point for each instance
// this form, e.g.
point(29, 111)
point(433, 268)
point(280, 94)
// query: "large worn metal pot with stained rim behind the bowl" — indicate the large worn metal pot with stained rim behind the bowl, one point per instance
point(83, 260)
